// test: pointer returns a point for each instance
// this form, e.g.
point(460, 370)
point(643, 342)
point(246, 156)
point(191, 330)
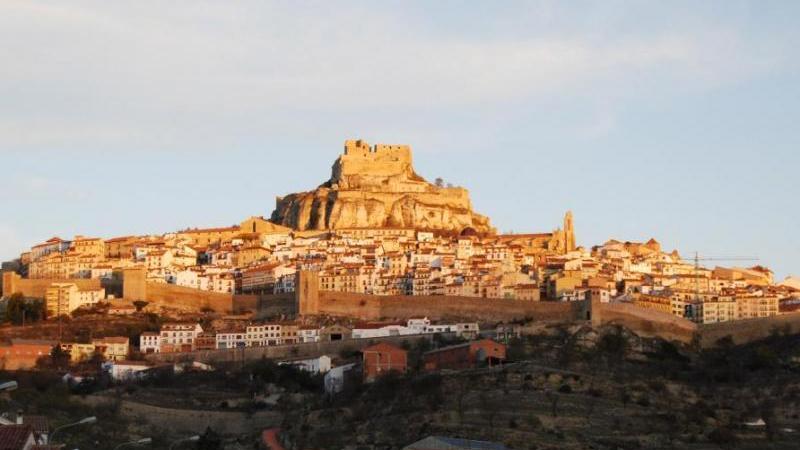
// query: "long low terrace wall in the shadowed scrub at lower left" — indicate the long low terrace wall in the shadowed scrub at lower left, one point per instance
point(191, 420)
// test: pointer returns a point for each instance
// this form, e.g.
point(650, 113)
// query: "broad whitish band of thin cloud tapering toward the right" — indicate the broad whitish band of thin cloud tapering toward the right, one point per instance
point(149, 75)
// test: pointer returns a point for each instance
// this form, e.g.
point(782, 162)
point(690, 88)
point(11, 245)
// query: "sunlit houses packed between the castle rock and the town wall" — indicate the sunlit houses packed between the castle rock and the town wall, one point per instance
point(260, 257)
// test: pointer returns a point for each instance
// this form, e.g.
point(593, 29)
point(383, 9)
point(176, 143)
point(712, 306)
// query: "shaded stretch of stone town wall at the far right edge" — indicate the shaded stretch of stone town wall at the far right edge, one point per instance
point(743, 331)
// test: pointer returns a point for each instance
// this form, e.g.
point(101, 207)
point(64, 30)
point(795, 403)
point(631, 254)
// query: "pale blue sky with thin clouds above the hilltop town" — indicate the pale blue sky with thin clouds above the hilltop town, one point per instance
point(674, 120)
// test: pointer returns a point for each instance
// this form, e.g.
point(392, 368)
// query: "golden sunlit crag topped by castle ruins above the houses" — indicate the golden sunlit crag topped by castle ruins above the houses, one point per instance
point(376, 187)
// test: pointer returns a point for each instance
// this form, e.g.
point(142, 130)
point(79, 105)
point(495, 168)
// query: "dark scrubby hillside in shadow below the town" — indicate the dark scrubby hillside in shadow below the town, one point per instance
point(568, 387)
